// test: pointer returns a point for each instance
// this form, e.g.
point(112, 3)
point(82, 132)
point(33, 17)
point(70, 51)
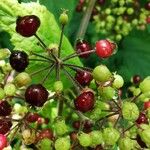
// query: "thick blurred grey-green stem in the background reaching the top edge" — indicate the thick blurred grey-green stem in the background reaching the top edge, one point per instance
point(85, 20)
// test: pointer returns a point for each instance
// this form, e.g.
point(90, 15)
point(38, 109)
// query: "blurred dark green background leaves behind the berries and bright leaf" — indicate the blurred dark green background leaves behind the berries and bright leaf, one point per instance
point(133, 56)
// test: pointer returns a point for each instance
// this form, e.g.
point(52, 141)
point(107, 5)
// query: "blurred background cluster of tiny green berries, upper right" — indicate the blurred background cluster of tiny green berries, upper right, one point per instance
point(116, 18)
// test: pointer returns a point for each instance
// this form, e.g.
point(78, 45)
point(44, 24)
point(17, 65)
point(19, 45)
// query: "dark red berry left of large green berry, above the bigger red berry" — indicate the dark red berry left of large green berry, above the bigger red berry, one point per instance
point(83, 77)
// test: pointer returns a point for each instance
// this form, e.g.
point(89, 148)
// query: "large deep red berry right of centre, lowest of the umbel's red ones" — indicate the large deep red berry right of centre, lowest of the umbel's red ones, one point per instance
point(85, 101)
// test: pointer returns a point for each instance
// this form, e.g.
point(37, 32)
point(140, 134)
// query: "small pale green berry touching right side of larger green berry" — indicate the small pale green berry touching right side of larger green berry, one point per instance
point(118, 81)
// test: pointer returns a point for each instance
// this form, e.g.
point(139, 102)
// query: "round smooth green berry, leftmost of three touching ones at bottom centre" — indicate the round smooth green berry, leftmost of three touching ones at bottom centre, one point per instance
point(85, 139)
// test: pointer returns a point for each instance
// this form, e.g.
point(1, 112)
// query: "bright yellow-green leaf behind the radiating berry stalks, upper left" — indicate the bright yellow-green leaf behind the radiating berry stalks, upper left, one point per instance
point(49, 32)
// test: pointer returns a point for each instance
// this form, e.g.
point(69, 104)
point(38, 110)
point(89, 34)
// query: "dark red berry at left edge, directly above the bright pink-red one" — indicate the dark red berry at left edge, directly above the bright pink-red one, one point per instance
point(5, 126)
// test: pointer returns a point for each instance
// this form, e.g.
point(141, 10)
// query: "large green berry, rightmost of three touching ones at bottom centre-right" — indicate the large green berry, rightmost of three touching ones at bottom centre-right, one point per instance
point(110, 136)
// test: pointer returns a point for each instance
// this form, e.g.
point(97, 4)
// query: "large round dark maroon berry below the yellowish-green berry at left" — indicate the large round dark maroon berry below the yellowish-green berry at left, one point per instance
point(36, 95)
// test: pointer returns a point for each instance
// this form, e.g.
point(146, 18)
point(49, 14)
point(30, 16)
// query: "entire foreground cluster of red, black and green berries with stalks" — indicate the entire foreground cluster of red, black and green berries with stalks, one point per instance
point(92, 115)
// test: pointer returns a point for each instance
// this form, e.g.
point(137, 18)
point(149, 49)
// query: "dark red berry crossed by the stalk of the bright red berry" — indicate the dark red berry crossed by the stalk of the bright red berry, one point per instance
point(83, 46)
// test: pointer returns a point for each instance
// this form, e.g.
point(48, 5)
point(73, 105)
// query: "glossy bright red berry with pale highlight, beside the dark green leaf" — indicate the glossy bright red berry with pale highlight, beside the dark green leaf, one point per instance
point(104, 48)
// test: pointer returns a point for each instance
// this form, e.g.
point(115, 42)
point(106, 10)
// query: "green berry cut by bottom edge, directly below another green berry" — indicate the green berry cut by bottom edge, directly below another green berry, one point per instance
point(62, 143)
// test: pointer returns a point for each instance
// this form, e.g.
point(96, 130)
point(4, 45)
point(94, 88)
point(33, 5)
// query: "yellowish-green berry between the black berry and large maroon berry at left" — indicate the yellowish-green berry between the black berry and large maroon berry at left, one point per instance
point(22, 79)
